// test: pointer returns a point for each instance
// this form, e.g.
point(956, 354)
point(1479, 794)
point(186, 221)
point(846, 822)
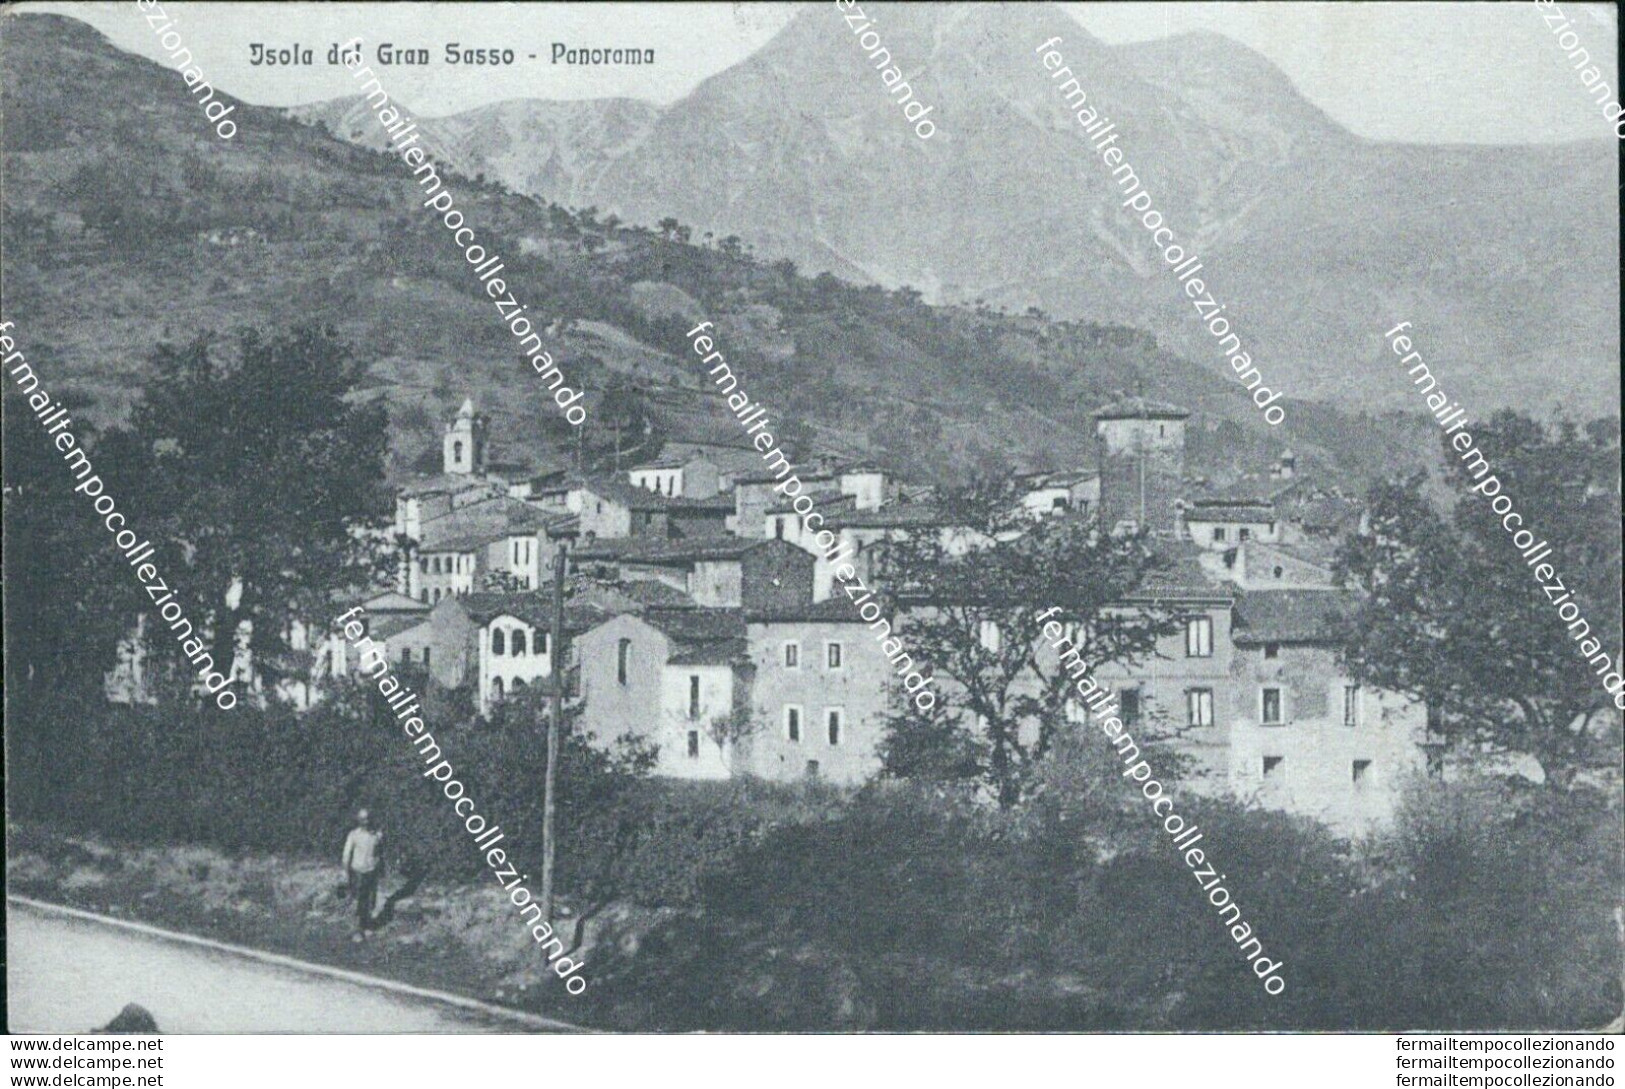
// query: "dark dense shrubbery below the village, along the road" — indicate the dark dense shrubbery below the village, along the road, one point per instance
point(908, 906)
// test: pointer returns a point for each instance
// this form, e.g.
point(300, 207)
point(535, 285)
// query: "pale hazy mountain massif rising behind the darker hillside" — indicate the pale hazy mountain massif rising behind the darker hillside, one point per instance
point(1257, 180)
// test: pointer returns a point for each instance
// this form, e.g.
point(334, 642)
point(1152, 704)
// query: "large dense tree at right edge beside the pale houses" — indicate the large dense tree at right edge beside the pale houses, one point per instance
point(1454, 615)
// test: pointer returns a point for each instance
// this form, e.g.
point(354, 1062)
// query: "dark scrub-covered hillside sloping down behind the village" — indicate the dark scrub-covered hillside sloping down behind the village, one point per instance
point(932, 393)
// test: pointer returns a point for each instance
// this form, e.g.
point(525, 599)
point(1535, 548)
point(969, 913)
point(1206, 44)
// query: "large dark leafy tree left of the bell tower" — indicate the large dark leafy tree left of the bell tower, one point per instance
point(262, 482)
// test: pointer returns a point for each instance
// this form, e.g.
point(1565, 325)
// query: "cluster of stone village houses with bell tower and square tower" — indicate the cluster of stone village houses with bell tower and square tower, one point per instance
point(703, 618)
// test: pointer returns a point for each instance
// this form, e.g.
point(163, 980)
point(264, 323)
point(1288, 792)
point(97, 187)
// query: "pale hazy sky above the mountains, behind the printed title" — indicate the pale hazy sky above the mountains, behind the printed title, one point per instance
point(1416, 72)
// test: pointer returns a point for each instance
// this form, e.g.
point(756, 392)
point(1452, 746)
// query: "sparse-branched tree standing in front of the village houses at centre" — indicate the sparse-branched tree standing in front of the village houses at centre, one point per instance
point(977, 617)
